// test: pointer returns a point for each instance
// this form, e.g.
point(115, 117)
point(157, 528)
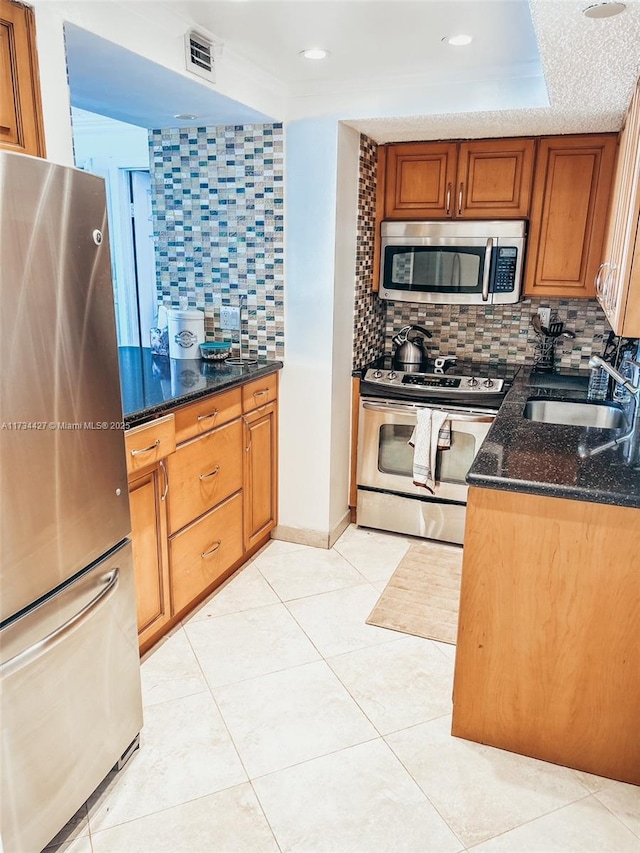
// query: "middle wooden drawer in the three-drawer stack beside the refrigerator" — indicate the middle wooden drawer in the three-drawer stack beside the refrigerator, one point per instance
point(204, 472)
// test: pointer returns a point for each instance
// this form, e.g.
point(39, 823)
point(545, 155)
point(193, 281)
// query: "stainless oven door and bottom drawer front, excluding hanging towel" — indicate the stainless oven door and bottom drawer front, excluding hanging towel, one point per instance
point(387, 497)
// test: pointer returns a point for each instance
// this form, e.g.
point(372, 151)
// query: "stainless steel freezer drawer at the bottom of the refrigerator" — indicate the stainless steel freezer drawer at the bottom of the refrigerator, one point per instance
point(70, 700)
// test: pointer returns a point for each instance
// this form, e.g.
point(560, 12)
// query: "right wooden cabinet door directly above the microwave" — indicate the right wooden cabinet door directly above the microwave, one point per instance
point(494, 178)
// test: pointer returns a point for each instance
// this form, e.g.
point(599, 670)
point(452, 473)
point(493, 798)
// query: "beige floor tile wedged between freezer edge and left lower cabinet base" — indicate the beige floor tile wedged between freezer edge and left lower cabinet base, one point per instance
point(171, 671)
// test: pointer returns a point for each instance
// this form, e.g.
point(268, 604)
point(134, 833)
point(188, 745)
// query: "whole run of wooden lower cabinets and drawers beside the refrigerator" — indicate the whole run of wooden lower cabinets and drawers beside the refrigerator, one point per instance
point(203, 498)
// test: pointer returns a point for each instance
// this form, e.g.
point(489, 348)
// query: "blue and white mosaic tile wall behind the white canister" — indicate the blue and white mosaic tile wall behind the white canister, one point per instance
point(218, 218)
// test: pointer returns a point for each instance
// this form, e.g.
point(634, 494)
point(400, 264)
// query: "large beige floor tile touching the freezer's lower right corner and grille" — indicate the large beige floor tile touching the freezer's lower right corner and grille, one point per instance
point(185, 752)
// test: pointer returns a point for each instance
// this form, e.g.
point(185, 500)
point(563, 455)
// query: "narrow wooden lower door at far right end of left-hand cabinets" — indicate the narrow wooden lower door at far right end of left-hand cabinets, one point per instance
point(260, 474)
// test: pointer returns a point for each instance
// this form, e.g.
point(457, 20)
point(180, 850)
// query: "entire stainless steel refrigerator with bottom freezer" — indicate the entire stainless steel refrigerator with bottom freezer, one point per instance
point(70, 703)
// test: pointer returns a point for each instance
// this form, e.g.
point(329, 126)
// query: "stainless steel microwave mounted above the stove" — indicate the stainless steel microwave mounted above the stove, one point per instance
point(462, 263)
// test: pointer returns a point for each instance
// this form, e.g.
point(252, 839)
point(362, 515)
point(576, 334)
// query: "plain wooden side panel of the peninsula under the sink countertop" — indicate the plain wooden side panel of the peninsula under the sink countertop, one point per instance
point(547, 652)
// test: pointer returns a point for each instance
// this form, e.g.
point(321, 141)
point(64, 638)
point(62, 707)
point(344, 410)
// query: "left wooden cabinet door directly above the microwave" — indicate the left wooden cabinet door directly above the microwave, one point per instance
point(420, 180)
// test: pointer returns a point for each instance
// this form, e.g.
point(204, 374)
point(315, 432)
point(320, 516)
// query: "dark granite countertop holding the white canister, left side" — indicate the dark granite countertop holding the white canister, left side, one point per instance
point(152, 384)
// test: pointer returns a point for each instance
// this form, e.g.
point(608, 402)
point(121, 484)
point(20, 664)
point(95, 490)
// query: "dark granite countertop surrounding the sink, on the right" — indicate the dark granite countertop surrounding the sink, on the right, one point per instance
point(538, 458)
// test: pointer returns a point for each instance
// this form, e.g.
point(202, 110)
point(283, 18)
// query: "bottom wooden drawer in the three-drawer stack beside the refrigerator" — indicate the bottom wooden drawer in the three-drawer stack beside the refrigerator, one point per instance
point(203, 552)
